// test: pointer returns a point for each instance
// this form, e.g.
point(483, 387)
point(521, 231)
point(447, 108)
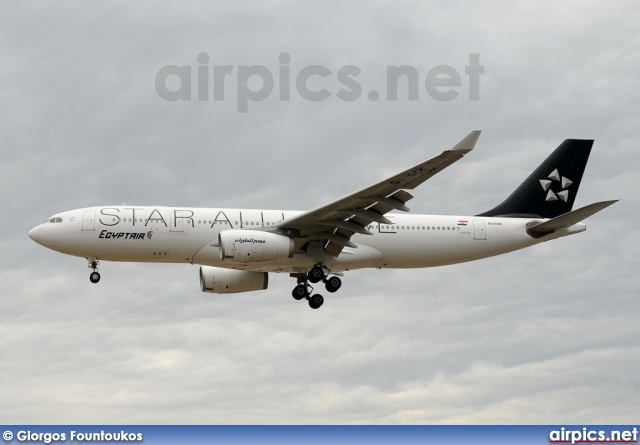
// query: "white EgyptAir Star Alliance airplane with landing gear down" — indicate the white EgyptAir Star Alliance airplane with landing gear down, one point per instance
point(238, 248)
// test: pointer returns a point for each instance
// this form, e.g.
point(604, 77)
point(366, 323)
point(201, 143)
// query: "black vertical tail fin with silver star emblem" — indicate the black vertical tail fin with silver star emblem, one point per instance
point(552, 188)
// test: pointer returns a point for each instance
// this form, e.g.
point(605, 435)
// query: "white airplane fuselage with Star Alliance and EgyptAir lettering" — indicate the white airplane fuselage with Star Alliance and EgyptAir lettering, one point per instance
point(189, 235)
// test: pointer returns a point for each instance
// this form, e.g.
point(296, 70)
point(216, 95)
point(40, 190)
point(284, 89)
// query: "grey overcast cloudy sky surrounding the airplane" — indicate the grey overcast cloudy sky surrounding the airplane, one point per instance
point(545, 335)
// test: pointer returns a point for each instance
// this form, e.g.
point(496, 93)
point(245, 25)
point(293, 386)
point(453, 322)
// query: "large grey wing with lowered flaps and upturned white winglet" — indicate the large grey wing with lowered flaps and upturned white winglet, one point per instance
point(333, 224)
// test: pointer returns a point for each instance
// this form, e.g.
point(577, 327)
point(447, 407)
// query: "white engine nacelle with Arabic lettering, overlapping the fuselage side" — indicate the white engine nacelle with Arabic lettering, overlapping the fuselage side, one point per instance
point(246, 246)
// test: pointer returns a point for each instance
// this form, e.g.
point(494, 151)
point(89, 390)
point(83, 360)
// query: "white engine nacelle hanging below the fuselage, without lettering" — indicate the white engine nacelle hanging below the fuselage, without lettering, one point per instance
point(229, 281)
